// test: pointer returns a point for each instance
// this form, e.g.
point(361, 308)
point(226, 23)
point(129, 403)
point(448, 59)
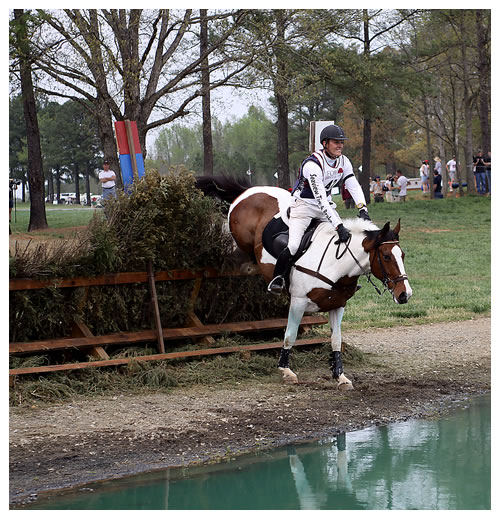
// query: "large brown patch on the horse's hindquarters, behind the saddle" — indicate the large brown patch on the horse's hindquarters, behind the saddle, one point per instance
point(248, 220)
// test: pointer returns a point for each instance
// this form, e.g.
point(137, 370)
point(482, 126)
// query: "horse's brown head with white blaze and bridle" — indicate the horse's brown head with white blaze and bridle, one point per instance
point(387, 261)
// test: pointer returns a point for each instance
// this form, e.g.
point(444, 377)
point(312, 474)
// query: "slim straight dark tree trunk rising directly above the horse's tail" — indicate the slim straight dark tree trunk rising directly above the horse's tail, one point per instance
point(208, 154)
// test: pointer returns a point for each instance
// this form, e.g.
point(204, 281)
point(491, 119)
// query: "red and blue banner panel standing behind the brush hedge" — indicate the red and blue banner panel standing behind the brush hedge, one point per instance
point(129, 148)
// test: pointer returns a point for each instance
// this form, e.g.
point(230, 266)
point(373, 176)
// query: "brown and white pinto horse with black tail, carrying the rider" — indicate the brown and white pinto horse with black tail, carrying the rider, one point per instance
point(325, 272)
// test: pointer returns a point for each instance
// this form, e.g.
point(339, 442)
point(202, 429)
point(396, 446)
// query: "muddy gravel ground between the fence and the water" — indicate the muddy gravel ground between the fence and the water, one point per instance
point(417, 371)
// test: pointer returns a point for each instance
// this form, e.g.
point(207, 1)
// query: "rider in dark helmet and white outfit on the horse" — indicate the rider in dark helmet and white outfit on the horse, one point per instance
point(311, 198)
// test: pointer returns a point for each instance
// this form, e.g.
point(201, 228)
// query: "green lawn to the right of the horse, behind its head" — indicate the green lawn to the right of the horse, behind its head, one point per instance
point(447, 246)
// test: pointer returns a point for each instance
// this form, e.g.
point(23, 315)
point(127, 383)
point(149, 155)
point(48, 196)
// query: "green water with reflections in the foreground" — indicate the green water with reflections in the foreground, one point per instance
point(420, 464)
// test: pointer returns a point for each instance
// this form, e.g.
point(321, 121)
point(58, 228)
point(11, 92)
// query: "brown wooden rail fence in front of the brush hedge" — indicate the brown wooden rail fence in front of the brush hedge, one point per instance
point(83, 339)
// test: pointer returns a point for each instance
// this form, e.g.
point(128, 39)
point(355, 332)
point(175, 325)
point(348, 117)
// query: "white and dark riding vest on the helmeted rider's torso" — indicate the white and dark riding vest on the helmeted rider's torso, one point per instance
point(332, 175)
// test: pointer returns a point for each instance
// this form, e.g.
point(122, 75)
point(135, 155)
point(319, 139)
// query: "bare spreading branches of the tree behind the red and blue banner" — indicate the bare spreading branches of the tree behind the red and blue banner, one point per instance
point(133, 64)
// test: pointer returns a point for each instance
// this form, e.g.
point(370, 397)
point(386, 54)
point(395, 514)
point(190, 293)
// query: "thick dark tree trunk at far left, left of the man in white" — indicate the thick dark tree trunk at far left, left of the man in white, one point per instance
point(38, 219)
